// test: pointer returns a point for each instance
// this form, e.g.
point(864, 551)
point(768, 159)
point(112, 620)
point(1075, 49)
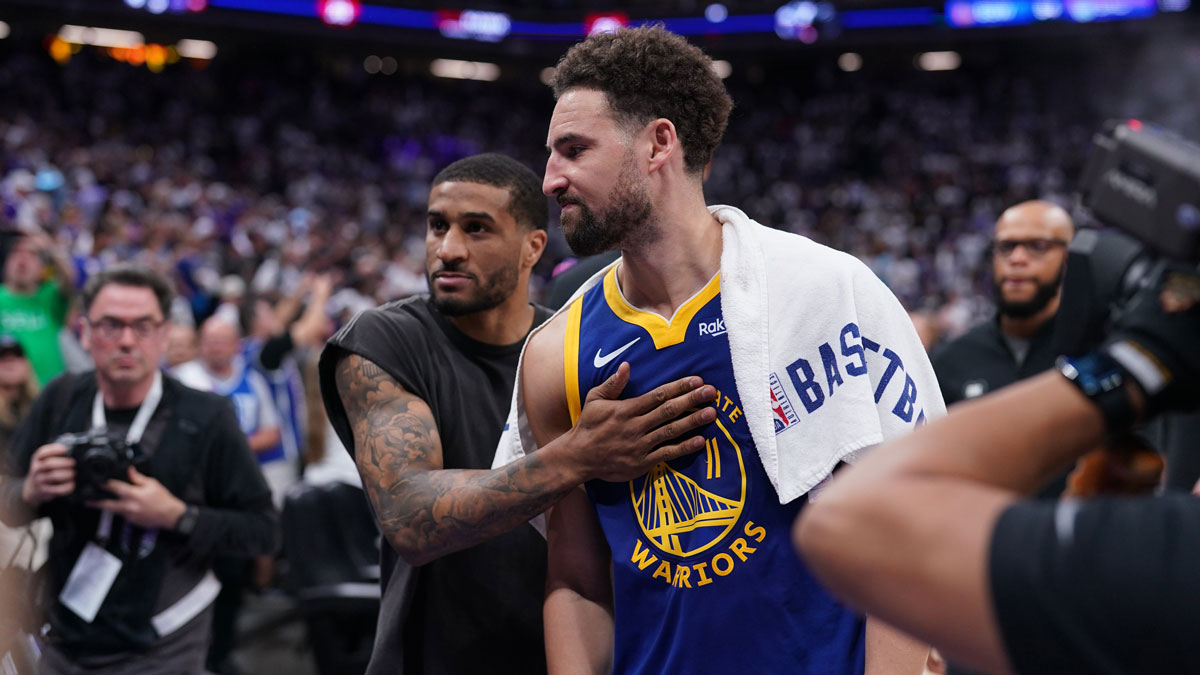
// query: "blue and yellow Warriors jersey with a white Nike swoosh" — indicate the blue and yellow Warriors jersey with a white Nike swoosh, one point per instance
point(705, 577)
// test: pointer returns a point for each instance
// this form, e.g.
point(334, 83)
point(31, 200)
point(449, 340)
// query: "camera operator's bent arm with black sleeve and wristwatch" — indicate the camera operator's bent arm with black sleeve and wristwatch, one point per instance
point(934, 537)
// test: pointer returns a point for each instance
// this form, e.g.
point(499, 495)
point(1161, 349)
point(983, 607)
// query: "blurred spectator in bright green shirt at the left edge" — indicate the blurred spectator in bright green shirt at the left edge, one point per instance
point(34, 309)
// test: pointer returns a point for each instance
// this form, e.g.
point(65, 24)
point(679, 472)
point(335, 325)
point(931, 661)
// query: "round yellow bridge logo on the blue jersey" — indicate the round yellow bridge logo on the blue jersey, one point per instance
point(670, 505)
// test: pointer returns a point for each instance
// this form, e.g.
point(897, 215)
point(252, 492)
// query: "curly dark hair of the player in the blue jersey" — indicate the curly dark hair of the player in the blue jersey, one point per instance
point(647, 74)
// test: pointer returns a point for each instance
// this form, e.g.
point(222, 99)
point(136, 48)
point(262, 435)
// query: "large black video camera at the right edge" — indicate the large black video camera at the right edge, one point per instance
point(1145, 183)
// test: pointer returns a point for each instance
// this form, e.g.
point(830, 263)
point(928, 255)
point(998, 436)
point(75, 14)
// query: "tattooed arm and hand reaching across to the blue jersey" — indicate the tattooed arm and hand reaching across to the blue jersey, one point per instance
point(427, 511)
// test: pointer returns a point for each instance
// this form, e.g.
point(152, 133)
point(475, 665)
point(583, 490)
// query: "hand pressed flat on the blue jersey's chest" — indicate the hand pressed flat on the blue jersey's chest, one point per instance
point(620, 440)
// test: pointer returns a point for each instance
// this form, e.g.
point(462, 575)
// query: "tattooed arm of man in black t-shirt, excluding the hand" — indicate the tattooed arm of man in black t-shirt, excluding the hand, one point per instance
point(422, 509)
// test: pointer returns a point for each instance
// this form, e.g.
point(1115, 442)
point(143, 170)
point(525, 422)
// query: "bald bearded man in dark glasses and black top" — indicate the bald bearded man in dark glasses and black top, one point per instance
point(1029, 259)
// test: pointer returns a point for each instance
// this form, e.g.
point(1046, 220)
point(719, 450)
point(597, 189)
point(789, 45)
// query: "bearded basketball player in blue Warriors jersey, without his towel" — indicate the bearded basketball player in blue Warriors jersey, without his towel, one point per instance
point(687, 569)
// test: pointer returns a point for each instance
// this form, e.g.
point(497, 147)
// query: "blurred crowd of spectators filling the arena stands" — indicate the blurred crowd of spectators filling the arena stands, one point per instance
point(285, 193)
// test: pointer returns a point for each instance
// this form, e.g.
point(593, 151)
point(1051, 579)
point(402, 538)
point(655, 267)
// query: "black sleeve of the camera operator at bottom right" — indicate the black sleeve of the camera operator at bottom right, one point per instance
point(1101, 587)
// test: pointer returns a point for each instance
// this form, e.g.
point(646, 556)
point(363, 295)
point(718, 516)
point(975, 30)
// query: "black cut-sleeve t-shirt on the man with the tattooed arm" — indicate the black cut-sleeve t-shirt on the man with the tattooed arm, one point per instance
point(477, 611)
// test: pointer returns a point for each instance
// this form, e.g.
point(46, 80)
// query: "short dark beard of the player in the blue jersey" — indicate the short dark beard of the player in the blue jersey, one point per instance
point(623, 224)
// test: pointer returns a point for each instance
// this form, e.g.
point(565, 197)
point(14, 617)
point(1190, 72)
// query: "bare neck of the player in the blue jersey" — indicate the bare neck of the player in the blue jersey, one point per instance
point(686, 255)
